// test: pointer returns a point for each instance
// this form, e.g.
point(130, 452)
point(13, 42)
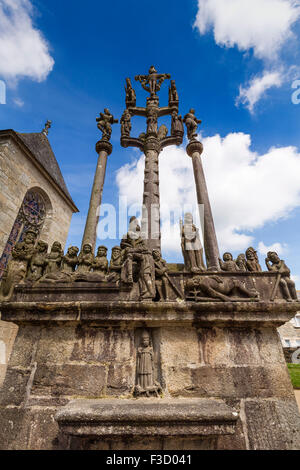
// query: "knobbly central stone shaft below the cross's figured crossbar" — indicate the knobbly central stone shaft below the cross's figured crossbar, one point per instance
point(151, 198)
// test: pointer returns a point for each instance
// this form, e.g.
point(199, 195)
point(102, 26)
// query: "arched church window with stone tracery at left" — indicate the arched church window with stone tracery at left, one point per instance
point(31, 215)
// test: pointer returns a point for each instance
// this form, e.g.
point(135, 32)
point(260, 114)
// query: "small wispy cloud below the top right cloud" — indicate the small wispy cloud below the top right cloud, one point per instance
point(258, 87)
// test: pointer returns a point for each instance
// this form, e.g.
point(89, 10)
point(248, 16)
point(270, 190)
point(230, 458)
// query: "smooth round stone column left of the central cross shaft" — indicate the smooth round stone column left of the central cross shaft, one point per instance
point(90, 232)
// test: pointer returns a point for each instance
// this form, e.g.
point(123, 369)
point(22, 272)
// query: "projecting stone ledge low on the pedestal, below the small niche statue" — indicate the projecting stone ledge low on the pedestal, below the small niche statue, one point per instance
point(147, 417)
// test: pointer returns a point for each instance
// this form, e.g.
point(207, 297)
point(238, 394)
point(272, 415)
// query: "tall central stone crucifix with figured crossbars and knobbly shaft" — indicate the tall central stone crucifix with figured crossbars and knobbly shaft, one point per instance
point(152, 142)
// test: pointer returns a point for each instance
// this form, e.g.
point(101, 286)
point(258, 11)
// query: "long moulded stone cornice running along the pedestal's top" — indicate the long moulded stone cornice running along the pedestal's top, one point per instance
point(135, 314)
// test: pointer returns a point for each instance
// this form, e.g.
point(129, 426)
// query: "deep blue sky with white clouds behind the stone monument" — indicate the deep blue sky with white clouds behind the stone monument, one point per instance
point(235, 65)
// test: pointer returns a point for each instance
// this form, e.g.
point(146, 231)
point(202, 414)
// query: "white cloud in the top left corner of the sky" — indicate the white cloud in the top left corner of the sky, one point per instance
point(23, 50)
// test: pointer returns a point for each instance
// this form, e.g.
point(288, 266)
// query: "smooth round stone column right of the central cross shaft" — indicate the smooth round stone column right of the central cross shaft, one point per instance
point(194, 150)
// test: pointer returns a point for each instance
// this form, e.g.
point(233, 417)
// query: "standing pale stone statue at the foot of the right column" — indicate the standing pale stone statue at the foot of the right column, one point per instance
point(191, 246)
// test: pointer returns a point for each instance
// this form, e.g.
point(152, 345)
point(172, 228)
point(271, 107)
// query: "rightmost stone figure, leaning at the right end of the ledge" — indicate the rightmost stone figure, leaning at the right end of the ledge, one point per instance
point(275, 264)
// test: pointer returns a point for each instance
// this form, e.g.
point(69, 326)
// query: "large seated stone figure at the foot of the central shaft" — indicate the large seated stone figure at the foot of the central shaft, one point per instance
point(138, 264)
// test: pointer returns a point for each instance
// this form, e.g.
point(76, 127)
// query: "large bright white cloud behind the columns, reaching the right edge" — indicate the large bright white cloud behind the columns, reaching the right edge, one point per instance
point(246, 190)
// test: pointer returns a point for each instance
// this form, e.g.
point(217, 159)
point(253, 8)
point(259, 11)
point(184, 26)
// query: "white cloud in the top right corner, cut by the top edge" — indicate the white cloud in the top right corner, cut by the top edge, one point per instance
point(261, 25)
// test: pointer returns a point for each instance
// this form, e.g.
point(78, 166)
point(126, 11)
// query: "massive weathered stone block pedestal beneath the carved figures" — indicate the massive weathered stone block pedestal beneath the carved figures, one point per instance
point(224, 353)
